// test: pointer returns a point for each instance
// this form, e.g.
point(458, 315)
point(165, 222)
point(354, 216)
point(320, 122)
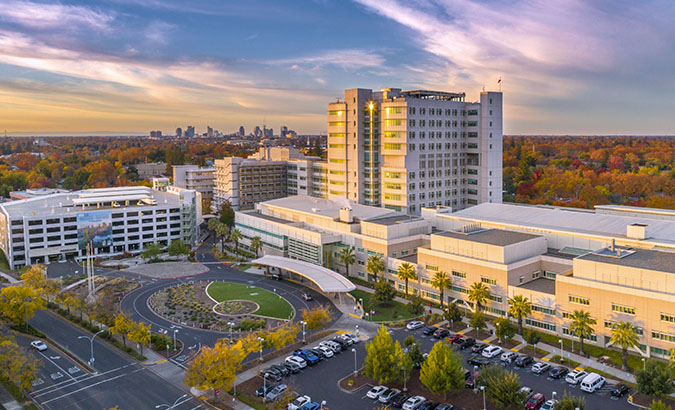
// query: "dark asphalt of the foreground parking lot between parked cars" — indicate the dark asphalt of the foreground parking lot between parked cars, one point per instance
point(320, 382)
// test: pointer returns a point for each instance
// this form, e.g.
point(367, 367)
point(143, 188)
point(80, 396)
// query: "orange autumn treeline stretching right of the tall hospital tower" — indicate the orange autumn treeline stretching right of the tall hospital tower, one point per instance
point(586, 171)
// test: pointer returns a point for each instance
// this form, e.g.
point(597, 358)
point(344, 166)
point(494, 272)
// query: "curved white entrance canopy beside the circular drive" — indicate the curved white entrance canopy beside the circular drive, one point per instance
point(327, 280)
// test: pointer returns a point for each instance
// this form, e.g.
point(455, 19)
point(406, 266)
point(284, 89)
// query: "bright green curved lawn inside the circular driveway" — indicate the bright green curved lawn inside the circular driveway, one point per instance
point(271, 305)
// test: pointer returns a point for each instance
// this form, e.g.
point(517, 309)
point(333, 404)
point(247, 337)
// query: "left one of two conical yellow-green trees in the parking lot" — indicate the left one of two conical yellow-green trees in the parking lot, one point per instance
point(383, 358)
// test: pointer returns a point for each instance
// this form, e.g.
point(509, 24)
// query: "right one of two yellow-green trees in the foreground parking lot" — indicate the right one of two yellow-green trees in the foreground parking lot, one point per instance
point(442, 371)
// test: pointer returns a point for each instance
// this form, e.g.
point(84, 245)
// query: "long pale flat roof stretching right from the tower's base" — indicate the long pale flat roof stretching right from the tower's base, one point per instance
point(566, 220)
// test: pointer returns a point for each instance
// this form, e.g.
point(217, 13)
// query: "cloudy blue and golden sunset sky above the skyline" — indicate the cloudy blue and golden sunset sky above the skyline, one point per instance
point(131, 66)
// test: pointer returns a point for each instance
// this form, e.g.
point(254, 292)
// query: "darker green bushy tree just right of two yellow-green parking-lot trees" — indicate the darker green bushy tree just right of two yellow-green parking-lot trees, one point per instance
point(501, 387)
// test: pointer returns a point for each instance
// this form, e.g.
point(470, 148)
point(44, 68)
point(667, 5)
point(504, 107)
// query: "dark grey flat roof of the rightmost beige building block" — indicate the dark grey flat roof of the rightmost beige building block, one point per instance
point(636, 258)
